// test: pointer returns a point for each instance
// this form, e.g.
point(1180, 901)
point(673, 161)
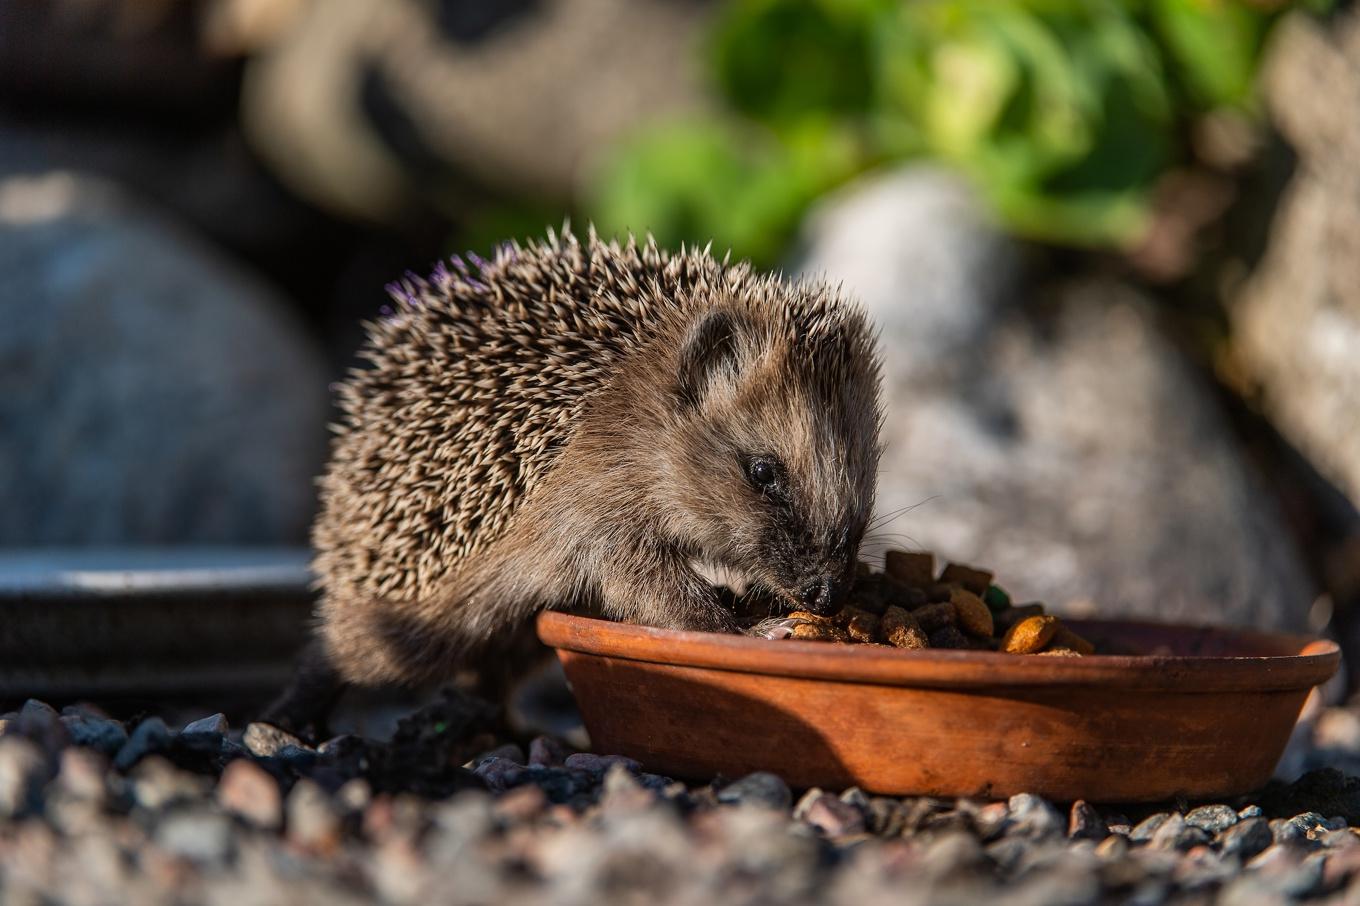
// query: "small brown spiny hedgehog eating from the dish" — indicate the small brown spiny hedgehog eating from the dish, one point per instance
point(594, 425)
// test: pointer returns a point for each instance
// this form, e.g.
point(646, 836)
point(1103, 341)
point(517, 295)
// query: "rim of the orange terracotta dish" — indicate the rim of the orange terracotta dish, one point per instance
point(1316, 663)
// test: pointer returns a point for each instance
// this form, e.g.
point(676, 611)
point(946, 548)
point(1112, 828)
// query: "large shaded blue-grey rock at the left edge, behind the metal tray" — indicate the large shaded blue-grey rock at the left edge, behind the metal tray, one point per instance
point(150, 392)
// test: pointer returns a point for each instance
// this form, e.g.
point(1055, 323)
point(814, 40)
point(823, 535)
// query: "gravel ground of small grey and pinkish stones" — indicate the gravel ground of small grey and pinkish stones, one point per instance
point(99, 811)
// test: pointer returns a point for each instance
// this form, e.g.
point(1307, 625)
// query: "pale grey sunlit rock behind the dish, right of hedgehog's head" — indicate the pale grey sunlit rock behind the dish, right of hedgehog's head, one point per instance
point(1055, 436)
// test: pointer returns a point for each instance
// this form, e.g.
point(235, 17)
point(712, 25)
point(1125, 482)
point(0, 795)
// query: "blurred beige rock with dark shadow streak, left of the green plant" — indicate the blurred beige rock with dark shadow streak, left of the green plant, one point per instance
point(373, 108)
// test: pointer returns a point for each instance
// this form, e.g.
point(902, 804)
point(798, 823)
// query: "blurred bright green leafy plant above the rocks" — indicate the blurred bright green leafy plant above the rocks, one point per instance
point(1063, 114)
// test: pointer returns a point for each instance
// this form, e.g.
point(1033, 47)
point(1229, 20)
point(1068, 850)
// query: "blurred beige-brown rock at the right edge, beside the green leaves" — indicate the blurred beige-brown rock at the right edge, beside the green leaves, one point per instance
point(1297, 326)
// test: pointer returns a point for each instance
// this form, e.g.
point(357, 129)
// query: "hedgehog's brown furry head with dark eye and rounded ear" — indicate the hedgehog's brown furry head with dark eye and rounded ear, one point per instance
point(772, 474)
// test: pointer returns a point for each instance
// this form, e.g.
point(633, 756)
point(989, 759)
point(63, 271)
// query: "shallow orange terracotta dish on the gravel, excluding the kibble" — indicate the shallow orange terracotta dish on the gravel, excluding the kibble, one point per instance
point(1185, 712)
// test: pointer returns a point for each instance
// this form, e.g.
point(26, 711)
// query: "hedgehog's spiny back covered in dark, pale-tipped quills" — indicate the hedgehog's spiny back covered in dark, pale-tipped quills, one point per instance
point(473, 388)
